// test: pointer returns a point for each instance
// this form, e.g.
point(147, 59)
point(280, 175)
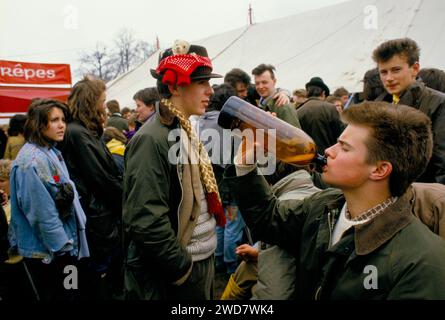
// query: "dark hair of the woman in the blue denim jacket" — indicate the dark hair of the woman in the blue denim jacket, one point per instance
point(38, 118)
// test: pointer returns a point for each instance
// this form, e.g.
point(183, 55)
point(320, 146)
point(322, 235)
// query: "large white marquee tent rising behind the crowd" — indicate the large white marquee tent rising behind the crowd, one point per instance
point(334, 43)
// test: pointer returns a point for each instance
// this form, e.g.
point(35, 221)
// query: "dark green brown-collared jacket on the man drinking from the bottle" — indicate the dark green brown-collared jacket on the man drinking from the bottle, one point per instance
point(408, 258)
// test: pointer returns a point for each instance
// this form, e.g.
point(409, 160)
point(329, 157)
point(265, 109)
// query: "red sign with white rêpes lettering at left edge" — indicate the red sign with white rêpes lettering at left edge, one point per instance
point(14, 72)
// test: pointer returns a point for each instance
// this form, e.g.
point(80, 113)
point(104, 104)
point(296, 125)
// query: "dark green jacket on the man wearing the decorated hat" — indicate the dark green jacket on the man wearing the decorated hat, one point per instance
point(152, 196)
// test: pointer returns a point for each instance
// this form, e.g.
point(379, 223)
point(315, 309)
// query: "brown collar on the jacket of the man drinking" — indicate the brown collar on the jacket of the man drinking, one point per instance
point(370, 236)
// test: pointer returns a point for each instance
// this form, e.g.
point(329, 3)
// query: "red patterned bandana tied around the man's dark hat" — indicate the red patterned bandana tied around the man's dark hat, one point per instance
point(179, 67)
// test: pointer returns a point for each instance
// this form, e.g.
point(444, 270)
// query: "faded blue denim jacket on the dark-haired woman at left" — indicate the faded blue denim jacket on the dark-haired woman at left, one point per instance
point(36, 228)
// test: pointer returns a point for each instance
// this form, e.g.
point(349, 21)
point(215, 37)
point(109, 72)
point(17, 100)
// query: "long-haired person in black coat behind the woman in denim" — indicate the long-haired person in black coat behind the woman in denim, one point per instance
point(99, 183)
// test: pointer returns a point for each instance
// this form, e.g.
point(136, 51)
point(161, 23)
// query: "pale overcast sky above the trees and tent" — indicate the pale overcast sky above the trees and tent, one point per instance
point(56, 31)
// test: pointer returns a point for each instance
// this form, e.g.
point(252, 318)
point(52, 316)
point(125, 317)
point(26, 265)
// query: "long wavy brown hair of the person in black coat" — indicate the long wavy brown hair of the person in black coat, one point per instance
point(83, 103)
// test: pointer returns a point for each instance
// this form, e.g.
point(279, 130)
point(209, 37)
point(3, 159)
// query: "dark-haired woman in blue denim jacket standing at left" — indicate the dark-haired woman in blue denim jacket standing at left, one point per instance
point(47, 221)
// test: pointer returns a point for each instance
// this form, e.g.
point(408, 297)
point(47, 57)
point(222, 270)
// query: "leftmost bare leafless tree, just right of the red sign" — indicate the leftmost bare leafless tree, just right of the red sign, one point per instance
point(98, 62)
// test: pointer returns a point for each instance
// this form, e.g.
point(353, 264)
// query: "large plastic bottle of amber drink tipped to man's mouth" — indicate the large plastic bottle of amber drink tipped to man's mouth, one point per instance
point(292, 145)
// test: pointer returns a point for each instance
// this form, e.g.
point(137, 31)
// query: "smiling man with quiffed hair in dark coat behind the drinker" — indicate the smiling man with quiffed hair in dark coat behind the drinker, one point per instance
point(398, 64)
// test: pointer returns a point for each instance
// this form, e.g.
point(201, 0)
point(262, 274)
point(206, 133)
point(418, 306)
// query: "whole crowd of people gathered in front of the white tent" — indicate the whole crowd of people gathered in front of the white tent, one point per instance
point(141, 207)
